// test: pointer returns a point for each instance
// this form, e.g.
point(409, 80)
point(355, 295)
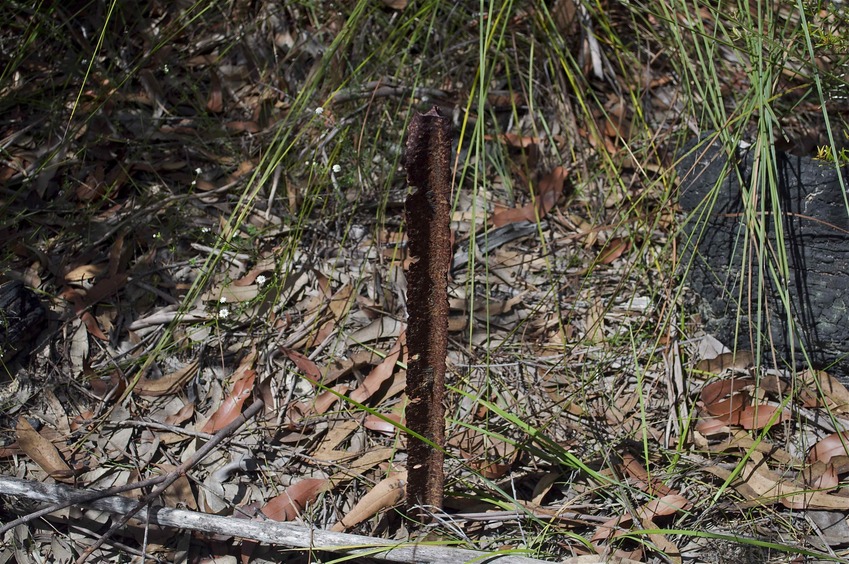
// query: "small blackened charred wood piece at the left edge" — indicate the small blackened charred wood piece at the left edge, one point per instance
point(22, 319)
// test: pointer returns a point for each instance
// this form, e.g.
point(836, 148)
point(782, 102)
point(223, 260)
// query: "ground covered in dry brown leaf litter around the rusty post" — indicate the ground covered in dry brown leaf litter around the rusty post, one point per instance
point(186, 277)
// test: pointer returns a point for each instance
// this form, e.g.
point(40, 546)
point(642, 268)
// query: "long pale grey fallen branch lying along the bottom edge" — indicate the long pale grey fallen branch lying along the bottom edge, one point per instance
point(269, 532)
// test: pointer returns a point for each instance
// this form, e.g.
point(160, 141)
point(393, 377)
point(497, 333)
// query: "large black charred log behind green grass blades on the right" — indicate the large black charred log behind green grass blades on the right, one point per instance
point(815, 225)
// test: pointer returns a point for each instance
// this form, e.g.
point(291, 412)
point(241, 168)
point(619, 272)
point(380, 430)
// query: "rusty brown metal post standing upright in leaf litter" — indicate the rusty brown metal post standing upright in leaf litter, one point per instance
point(428, 167)
